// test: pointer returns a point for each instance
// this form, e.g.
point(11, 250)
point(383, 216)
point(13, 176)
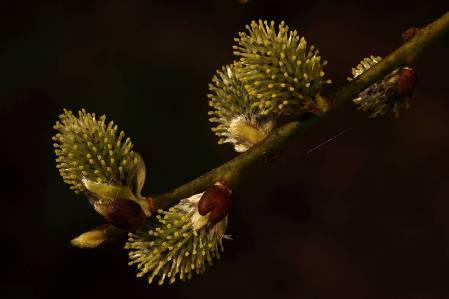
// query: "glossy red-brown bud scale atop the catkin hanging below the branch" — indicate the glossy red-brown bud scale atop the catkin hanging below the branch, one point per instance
point(216, 200)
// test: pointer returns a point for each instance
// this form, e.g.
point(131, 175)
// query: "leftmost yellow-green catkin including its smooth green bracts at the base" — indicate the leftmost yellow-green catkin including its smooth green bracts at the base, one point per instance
point(93, 157)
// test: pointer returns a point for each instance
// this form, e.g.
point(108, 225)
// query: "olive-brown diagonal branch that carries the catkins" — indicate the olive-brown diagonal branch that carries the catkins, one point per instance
point(231, 170)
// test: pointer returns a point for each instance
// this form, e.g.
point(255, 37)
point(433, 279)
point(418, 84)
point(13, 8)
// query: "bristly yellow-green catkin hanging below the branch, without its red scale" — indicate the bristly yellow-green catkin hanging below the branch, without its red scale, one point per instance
point(183, 242)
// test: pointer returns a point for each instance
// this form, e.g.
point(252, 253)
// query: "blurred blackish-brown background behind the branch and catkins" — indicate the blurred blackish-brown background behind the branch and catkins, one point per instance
point(365, 216)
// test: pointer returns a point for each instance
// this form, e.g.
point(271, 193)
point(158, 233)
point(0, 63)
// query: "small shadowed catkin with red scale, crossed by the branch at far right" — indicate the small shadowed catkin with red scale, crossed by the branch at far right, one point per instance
point(389, 94)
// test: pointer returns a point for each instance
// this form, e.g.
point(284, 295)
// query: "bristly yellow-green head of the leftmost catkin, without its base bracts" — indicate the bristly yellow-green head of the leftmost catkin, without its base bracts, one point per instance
point(90, 148)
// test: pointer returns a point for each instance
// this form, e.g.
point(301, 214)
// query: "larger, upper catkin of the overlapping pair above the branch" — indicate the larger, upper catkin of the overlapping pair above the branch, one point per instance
point(278, 69)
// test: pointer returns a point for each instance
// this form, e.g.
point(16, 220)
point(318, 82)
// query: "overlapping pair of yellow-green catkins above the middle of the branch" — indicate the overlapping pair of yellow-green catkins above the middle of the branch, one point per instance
point(277, 75)
